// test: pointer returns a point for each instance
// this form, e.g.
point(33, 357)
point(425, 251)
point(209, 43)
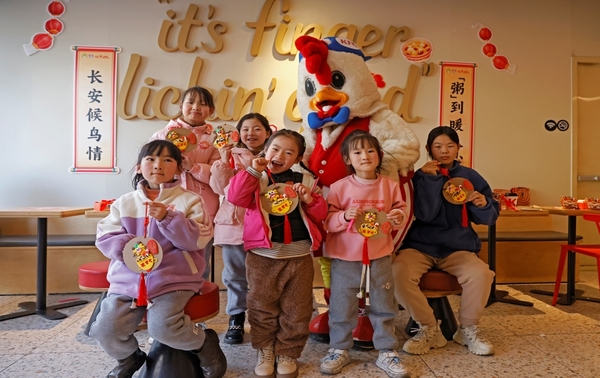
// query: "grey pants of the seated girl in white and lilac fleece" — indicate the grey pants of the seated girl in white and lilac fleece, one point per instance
point(116, 323)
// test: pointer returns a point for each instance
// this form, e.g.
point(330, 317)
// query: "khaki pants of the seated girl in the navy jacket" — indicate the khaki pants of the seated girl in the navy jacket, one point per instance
point(473, 275)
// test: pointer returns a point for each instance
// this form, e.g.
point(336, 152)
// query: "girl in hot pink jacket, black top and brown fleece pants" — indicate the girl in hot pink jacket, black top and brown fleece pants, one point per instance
point(279, 265)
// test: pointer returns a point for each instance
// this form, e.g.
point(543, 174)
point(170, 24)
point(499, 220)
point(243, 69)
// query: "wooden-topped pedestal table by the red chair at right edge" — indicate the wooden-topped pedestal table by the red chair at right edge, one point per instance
point(572, 294)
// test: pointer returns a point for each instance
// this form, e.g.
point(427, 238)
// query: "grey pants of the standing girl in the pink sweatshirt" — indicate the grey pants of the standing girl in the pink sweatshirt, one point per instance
point(343, 303)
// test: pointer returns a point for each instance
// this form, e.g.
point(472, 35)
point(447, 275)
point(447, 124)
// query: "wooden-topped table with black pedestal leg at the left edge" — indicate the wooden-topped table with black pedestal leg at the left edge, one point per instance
point(42, 214)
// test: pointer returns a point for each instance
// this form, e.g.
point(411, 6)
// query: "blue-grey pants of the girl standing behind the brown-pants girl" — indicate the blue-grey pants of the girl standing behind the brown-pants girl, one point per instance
point(234, 278)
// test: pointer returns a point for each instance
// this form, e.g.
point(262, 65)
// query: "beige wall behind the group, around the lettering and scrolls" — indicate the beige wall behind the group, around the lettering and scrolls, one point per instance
point(512, 147)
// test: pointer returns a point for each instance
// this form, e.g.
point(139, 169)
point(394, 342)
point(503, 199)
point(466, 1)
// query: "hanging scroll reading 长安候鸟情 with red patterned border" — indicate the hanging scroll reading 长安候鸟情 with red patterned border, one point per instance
point(95, 117)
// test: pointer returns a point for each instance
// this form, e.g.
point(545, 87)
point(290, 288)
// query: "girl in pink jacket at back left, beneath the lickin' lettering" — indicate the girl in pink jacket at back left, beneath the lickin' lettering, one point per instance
point(197, 105)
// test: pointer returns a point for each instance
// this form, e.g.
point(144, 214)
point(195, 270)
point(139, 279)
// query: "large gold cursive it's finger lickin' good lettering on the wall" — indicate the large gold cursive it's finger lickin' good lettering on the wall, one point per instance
point(147, 102)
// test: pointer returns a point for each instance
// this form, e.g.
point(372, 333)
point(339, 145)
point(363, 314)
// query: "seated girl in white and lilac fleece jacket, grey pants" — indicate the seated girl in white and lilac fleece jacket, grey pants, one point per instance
point(177, 220)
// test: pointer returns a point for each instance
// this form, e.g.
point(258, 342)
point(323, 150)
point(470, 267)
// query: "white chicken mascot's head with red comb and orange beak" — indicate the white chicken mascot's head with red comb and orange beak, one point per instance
point(334, 83)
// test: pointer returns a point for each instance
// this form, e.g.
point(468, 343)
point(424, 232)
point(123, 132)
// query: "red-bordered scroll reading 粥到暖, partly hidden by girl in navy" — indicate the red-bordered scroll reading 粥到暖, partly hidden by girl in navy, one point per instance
point(457, 104)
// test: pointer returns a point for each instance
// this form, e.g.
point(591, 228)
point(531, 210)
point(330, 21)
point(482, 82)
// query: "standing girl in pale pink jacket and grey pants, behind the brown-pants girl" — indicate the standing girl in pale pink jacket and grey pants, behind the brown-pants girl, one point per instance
point(254, 131)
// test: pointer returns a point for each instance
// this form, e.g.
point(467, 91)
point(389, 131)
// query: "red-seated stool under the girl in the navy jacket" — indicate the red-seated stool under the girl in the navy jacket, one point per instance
point(437, 285)
